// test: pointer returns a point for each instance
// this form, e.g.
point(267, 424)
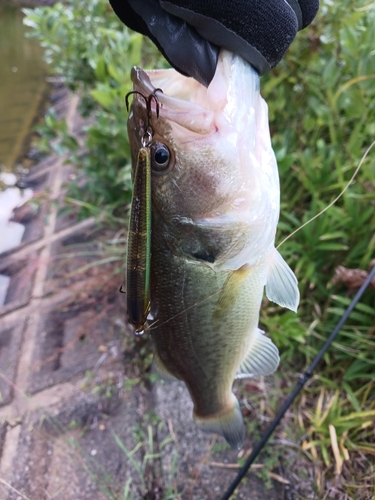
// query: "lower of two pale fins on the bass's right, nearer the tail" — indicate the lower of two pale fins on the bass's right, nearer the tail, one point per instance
point(262, 358)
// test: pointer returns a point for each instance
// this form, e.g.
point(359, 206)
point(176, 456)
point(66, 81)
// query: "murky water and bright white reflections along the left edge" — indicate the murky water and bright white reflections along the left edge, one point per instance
point(22, 89)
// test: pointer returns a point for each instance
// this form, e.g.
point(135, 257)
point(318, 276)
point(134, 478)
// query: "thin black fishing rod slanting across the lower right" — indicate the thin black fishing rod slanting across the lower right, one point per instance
point(302, 381)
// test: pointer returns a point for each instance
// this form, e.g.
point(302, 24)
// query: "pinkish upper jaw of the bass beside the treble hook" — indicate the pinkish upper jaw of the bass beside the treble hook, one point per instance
point(181, 100)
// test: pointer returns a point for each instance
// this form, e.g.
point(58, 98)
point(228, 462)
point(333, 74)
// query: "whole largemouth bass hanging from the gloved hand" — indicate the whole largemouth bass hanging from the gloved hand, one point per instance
point(215, 208)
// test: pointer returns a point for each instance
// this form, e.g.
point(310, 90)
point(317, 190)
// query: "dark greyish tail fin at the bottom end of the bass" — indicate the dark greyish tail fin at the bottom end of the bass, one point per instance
point(228, 424)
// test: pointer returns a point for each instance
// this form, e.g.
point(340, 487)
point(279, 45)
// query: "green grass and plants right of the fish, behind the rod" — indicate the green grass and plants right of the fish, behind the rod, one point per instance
point(328, 77)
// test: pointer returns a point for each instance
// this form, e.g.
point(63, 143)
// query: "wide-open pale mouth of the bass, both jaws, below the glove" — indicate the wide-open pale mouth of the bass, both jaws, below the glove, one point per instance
point(198, 109)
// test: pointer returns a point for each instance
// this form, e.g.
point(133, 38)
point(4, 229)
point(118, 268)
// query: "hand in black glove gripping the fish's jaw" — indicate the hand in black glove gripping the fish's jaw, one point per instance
point(189, 33)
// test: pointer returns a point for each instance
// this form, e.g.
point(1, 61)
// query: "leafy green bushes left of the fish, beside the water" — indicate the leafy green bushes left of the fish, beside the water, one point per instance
point(93, 52)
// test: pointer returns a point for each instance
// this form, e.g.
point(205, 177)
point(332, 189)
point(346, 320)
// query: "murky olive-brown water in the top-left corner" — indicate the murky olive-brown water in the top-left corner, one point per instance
point(22, 84)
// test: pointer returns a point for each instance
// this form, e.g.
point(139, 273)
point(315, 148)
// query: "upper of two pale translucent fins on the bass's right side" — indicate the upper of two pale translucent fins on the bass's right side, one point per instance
point(282, 285)
